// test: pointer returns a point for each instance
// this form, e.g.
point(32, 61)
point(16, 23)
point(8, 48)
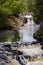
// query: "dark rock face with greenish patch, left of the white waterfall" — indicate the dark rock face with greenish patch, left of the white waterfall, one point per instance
point(9, 35)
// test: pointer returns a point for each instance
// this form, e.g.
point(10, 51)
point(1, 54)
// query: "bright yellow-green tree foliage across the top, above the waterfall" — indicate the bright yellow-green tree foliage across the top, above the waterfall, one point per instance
point(18, 6)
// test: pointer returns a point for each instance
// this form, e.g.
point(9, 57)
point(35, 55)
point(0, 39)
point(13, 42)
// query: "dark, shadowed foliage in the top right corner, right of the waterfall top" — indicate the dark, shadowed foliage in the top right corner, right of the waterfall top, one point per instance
point(38, 12)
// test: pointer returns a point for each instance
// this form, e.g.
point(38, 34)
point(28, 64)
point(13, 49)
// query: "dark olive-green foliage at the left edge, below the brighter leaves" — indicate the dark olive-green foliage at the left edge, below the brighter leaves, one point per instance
point(4, 15)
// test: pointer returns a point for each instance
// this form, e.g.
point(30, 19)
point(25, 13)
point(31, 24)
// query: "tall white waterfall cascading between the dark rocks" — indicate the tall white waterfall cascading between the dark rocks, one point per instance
point(26, 32)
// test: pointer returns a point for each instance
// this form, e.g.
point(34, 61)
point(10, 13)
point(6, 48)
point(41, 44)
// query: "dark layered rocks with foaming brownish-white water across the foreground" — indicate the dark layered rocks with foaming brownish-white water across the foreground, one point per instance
point(20, 54)
